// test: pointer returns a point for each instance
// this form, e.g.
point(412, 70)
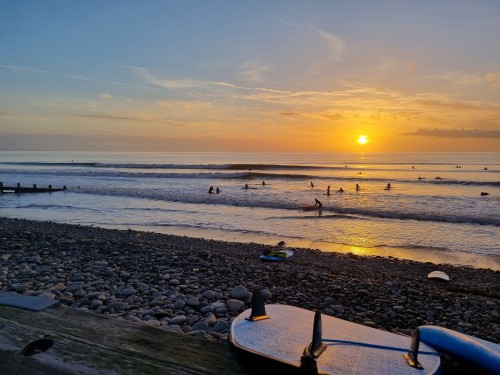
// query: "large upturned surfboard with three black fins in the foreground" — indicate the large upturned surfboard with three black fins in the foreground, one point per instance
point(288, 339)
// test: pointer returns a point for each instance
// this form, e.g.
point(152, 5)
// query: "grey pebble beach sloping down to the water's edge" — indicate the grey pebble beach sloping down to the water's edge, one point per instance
point(196, 287)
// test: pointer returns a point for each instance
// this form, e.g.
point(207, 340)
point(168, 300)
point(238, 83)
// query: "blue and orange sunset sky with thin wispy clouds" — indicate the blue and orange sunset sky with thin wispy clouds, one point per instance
point(233, 75)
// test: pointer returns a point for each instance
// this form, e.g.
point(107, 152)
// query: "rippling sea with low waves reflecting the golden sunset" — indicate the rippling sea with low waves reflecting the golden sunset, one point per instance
point(441, 207)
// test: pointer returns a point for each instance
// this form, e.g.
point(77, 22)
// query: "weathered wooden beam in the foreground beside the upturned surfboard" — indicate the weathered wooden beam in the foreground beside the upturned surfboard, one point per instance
point(84, 343)
